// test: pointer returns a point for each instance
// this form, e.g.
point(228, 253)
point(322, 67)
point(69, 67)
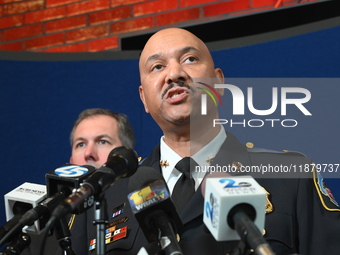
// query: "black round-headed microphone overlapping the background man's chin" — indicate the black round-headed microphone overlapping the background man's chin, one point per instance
point(122, 162)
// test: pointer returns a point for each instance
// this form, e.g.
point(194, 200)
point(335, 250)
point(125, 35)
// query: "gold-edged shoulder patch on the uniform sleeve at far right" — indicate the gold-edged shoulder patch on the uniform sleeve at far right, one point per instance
point(327, 199)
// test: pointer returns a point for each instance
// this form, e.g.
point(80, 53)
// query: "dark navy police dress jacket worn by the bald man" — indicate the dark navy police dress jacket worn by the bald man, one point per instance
point(300, 218)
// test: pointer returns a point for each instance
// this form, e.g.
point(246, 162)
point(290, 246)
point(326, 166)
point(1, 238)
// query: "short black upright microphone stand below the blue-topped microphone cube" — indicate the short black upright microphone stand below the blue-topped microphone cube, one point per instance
point(63, 235)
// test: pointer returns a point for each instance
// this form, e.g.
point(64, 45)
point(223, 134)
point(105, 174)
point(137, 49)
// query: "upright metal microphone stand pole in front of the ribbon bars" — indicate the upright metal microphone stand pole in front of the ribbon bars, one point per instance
point(101, 221)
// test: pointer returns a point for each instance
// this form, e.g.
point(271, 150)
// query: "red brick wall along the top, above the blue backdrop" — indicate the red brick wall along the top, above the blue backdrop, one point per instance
point(97, 25)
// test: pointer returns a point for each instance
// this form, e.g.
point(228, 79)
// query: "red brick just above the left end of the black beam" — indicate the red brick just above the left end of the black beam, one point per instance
point(132, 25)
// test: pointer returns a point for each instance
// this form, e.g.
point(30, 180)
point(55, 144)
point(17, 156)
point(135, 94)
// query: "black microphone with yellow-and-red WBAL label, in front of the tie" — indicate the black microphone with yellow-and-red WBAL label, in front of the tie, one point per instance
point(153, 208)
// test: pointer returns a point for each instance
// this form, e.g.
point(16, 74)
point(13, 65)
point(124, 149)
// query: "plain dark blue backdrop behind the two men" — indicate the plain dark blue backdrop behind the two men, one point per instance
point(40, 100)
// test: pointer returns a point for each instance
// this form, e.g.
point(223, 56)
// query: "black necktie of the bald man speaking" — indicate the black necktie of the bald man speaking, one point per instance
point(185, 186)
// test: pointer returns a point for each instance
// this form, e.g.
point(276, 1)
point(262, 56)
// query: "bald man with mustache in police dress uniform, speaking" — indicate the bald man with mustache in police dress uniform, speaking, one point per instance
point(298, 220)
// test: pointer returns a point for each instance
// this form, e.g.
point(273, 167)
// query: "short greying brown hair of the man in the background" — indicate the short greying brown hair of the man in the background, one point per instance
point(125, 130)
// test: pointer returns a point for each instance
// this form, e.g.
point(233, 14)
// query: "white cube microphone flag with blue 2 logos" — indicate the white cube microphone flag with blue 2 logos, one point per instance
point(225, 195)
